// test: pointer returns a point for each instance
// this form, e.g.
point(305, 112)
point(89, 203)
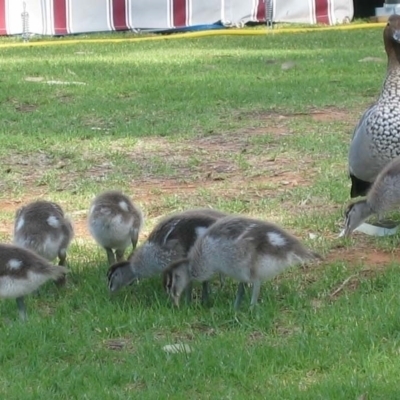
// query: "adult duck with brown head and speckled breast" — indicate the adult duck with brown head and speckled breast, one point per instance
point(376, 138)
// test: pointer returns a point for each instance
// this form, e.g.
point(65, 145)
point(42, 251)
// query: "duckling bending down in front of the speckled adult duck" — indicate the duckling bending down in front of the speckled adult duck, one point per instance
point(383, 196)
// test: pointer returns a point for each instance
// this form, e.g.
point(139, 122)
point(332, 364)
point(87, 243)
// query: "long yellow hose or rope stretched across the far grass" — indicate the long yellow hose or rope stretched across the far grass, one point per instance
point(191, 35)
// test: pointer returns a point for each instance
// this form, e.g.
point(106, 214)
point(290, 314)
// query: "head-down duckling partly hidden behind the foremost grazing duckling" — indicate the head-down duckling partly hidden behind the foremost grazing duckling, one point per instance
point(171, 239)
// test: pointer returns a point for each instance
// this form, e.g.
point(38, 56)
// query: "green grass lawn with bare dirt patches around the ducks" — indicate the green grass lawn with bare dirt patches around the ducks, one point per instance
point(206, 122)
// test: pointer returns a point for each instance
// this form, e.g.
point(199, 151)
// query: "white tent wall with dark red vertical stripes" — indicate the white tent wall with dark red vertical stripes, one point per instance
point(62, 17)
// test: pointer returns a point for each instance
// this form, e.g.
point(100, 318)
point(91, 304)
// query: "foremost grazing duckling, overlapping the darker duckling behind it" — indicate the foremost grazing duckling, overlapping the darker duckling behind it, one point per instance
point(246, 249)
